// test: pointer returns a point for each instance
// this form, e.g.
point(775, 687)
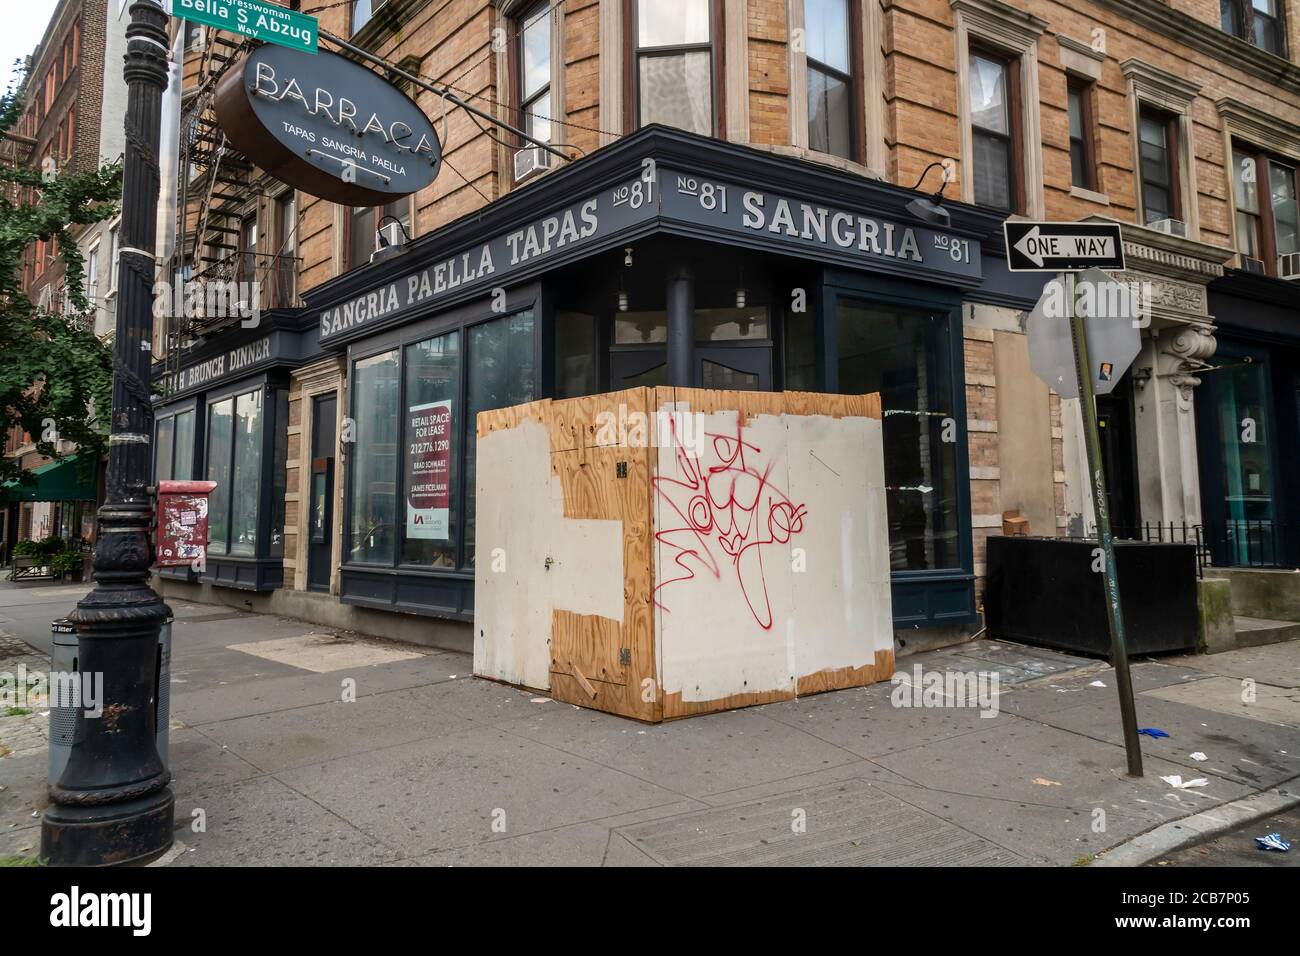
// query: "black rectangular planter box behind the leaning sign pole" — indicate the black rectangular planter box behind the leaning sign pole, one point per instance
point(1043, 591)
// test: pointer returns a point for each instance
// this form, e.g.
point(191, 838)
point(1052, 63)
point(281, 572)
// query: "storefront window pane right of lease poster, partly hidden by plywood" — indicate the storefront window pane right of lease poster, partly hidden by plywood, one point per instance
point(502, 374)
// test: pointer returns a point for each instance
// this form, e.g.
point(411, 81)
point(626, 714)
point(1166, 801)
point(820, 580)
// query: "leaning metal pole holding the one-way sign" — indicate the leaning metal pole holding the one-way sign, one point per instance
point(1115, 613)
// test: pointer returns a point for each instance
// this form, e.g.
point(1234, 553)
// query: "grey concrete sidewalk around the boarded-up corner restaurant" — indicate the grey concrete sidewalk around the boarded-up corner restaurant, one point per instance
point(432, 767)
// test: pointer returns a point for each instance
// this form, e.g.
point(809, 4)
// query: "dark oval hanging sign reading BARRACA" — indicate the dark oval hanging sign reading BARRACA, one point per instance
point(327, 126)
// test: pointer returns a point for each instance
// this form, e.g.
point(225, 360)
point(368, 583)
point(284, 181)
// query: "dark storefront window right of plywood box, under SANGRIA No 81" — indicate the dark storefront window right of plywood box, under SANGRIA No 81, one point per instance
point(904, 356)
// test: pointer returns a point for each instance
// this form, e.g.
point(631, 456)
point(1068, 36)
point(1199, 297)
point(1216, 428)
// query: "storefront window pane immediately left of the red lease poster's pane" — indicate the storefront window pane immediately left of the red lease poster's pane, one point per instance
point(375, 464)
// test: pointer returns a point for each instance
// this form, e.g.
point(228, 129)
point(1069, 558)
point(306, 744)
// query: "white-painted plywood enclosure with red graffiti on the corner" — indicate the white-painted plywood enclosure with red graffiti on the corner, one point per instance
point(662, 553)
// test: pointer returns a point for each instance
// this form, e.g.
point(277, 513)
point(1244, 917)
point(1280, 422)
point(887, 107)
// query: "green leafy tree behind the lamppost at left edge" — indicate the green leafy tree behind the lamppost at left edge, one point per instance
point(55, 374)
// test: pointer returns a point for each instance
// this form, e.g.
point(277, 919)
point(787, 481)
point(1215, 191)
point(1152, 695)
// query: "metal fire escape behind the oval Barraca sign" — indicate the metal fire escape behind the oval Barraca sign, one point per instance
point(215, 189)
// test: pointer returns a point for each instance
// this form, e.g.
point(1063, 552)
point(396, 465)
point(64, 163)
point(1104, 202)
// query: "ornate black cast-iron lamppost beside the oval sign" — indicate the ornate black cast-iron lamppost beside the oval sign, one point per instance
point(112, 804)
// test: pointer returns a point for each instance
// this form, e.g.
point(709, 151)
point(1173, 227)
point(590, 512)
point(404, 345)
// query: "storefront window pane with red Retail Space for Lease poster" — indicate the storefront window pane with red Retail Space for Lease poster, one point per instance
point(432, 419)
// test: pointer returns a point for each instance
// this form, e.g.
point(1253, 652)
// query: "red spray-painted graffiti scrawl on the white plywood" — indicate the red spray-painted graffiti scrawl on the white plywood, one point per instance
point(731, 507)
